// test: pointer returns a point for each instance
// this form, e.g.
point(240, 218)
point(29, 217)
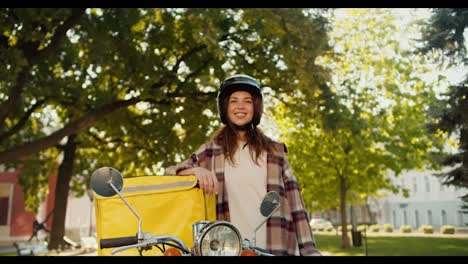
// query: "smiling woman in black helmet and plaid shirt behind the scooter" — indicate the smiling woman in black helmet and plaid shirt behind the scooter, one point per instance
point(241, 164)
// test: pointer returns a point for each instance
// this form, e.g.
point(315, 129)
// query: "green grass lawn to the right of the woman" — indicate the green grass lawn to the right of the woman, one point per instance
point(396, 246)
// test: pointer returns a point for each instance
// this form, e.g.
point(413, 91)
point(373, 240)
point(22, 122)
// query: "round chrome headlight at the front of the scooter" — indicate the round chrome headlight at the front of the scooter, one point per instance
point(218, 238)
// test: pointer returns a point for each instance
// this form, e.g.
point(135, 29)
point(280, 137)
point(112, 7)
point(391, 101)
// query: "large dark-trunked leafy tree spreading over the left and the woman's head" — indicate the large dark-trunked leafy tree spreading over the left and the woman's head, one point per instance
point(134, 88)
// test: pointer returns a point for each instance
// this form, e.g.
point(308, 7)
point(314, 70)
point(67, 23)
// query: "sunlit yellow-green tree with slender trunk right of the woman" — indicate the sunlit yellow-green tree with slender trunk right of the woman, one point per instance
point(364, 123)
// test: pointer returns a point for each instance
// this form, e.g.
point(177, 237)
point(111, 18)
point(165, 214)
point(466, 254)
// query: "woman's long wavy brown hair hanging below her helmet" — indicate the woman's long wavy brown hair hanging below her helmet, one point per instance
point(258, 142)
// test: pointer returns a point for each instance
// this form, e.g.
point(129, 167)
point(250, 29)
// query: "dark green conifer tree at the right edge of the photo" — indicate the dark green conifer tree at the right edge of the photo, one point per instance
point(445, 33)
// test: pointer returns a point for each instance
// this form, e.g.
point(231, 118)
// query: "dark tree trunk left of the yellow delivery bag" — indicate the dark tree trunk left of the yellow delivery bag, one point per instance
point(61, 194)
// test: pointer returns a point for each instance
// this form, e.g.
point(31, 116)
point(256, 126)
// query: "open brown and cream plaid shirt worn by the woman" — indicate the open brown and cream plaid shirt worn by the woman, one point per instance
point(288, 229)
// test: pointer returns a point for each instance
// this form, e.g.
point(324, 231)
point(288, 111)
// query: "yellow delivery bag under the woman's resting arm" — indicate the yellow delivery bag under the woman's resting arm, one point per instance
point(167, 205)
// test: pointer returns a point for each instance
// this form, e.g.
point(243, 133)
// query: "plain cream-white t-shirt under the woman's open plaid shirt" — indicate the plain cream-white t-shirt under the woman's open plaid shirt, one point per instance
point(246, 185)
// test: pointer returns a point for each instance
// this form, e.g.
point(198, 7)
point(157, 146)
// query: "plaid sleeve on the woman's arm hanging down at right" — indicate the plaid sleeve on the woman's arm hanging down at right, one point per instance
point(303, 230)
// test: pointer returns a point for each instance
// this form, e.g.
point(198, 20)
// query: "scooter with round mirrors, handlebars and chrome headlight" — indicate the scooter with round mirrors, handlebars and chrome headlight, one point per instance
point(211, 238)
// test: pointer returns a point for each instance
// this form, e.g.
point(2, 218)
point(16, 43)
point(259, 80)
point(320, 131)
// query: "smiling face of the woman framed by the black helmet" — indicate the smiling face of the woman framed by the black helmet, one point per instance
point(240, 108)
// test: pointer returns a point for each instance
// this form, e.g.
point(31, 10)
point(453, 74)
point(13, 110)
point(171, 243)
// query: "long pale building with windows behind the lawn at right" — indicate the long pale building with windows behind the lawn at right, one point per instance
point(429, 203)
